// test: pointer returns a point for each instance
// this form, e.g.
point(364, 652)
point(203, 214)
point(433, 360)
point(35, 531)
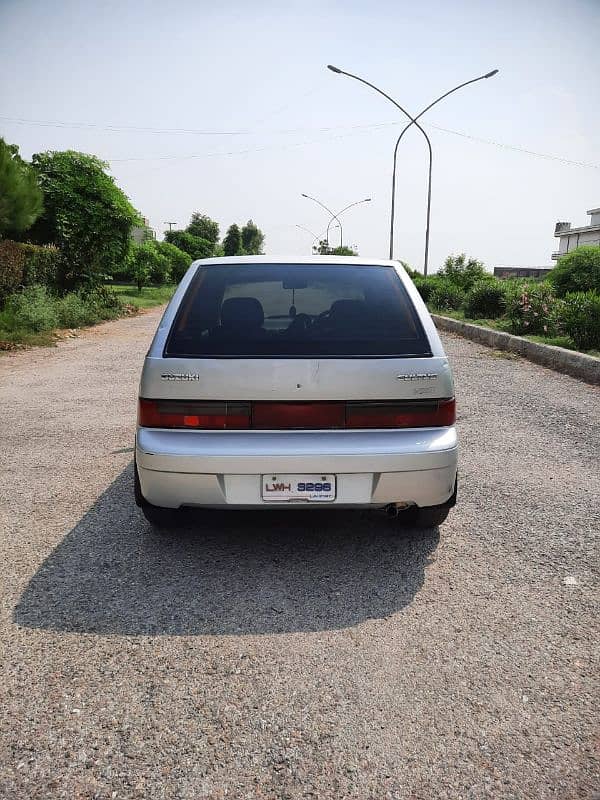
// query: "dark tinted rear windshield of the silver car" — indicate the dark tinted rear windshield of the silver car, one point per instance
point(296, 311)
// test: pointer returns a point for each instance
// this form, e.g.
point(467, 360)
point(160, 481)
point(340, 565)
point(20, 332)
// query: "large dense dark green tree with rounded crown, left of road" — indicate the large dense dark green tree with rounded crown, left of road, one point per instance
point(85, 214)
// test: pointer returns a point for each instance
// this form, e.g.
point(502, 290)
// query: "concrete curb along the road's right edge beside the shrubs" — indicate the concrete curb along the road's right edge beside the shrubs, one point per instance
point(578, 365)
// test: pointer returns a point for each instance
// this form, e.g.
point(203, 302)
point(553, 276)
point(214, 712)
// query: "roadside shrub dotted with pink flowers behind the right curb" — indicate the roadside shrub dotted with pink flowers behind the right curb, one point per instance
point(530, 308)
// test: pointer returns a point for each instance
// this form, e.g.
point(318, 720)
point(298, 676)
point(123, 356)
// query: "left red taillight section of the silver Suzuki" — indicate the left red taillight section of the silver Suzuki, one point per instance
point(190, 414)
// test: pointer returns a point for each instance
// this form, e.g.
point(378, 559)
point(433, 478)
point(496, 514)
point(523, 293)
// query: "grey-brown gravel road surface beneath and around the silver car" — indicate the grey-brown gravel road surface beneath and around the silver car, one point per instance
point(320, 656)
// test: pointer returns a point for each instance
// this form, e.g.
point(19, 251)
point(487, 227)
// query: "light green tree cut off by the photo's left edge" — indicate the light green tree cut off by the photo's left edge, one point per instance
point(20, 195)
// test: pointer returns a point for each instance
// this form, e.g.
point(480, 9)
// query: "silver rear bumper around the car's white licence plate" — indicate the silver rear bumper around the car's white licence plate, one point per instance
point(223, 468)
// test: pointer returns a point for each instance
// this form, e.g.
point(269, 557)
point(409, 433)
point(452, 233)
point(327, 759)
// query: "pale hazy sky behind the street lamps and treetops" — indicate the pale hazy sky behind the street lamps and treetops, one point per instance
point(253, 75)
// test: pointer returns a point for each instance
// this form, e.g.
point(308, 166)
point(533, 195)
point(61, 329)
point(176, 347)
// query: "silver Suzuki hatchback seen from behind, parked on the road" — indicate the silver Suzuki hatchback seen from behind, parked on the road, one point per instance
point(304, 383)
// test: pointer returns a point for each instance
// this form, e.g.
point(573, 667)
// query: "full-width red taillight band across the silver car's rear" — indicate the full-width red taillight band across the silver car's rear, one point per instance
point(289, 415)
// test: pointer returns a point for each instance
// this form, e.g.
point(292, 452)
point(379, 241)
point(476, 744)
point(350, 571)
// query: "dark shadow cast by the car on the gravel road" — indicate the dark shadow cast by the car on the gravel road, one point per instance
point(229, 572)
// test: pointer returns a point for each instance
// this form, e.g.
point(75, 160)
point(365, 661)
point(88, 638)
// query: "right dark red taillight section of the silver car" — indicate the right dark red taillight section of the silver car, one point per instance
point(419, 414)
